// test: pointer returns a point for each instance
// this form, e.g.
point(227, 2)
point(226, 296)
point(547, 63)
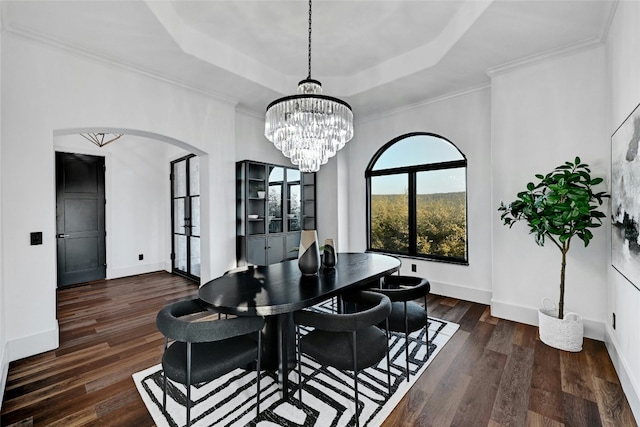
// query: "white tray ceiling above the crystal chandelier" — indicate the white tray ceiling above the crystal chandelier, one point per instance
point(376, 55)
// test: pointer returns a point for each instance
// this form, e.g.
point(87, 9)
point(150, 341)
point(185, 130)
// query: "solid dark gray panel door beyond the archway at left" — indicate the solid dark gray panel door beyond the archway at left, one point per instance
point(80, 218)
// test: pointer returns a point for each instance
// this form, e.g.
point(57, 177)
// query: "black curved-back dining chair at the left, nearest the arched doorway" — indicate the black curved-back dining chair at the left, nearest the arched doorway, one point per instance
point(205, 349)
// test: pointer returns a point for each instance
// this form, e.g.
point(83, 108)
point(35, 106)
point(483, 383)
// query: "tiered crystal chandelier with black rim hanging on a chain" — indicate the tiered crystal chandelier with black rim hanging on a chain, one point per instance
point(309, 128)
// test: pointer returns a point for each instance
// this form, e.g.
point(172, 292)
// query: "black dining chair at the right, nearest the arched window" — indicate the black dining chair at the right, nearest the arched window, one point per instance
point(406, 315)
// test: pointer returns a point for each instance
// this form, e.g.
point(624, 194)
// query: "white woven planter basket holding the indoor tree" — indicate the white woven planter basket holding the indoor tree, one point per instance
point(564, 334)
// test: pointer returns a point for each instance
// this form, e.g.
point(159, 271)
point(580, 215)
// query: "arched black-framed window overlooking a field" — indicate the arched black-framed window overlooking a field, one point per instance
point(417, 199)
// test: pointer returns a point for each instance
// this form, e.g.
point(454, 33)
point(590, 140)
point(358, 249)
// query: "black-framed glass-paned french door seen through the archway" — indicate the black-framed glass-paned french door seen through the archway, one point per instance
point(185, 216)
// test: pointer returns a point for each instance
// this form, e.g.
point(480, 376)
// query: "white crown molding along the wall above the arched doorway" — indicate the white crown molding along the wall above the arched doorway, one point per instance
point(104, 59)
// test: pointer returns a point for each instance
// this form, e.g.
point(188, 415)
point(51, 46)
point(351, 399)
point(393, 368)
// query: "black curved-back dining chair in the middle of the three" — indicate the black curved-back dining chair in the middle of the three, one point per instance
point(346, 341)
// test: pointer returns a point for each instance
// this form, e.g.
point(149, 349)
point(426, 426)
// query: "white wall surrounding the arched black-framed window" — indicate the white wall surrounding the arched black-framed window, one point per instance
point(465, 121)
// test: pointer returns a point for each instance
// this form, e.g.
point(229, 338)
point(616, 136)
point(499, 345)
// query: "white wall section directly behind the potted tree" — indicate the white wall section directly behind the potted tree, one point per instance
point(543, 115)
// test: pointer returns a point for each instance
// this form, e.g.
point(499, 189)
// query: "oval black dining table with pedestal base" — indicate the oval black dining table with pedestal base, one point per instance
point(275, 291)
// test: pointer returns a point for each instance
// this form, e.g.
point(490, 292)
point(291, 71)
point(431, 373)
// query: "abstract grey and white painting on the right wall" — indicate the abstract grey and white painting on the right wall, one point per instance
point(625, 198)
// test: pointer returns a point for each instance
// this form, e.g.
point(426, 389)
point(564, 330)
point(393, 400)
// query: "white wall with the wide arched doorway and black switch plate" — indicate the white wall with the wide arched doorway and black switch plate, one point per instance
point(46, 90)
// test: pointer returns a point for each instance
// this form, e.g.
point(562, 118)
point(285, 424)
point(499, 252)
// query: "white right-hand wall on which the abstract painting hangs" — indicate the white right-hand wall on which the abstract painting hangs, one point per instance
point(623, 68)
